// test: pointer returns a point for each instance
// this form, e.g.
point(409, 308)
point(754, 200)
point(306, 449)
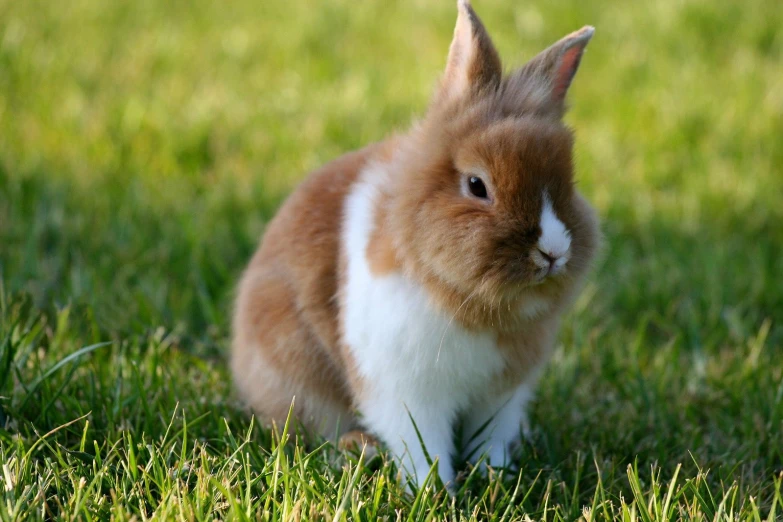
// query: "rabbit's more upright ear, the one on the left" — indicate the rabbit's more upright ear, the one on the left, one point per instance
point(473, 62)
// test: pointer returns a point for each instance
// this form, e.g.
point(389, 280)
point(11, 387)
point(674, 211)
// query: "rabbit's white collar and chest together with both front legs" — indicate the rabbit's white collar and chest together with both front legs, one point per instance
point(405, 346)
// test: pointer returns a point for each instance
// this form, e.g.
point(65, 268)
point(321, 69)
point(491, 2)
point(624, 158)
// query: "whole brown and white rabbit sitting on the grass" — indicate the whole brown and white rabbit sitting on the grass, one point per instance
point(422, 279)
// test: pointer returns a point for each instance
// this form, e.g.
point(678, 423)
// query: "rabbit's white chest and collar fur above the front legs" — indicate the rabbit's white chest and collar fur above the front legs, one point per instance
point(404, 348)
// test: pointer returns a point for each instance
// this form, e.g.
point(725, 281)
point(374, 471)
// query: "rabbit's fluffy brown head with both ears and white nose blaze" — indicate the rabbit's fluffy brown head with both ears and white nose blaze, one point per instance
point(485, 204)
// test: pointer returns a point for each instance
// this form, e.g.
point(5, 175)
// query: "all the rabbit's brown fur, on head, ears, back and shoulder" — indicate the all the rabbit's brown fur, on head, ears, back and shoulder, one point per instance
point(472, 256)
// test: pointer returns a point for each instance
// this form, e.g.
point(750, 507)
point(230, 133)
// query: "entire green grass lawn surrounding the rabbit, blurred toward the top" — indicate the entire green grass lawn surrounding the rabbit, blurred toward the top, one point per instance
point(143, 145)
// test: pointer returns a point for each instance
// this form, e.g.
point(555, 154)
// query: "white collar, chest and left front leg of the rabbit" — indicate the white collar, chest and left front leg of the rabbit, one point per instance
point(415, 361)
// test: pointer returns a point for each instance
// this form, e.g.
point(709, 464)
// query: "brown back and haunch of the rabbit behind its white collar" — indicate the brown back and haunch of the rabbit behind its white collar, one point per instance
point(286, 312)
